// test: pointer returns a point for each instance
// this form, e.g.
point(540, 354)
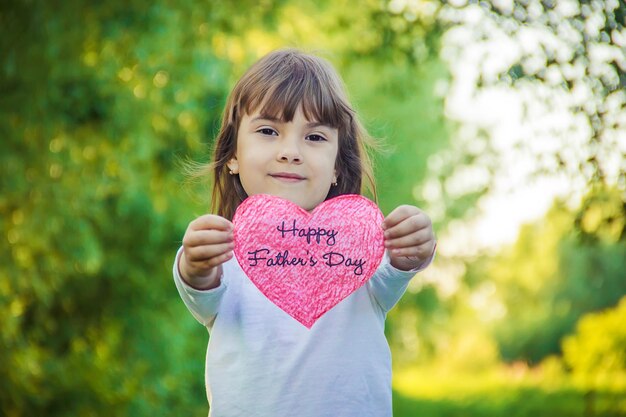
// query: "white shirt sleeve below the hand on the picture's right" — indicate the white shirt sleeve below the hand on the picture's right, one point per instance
point(389, 283)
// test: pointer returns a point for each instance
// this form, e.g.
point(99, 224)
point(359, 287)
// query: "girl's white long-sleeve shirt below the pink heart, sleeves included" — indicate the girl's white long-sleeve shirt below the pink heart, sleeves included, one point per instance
point(262, 362)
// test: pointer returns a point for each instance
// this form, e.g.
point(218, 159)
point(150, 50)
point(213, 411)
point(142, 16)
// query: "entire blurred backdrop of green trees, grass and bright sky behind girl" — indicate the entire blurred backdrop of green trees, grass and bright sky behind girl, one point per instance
point(505, 120)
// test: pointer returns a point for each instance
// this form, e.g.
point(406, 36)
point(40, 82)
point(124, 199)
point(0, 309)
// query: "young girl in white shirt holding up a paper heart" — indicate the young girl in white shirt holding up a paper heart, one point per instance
point(288, 130)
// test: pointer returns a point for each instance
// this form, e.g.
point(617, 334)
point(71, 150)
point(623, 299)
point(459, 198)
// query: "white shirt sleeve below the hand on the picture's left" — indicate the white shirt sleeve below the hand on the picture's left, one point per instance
point(203, 304)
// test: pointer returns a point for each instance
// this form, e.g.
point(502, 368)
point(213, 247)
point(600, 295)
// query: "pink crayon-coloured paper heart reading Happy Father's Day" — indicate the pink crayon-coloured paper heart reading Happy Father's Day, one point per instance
point(306, 263)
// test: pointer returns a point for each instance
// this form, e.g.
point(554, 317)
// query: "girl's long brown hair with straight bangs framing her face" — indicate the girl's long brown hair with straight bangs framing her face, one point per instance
point(280, 82)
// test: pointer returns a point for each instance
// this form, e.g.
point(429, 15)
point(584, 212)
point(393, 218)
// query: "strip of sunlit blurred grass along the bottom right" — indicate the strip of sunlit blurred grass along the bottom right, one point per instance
point(504, 392)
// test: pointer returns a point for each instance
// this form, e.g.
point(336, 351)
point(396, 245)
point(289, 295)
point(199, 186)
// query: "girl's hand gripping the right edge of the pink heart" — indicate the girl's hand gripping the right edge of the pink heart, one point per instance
point(409, 238)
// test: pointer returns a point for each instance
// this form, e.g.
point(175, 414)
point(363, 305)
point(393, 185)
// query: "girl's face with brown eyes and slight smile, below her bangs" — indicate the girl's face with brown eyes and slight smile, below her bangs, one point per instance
point(293, 160)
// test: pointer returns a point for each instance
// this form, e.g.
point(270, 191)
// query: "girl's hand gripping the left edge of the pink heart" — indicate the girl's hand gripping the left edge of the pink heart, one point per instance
point(207, 244)
